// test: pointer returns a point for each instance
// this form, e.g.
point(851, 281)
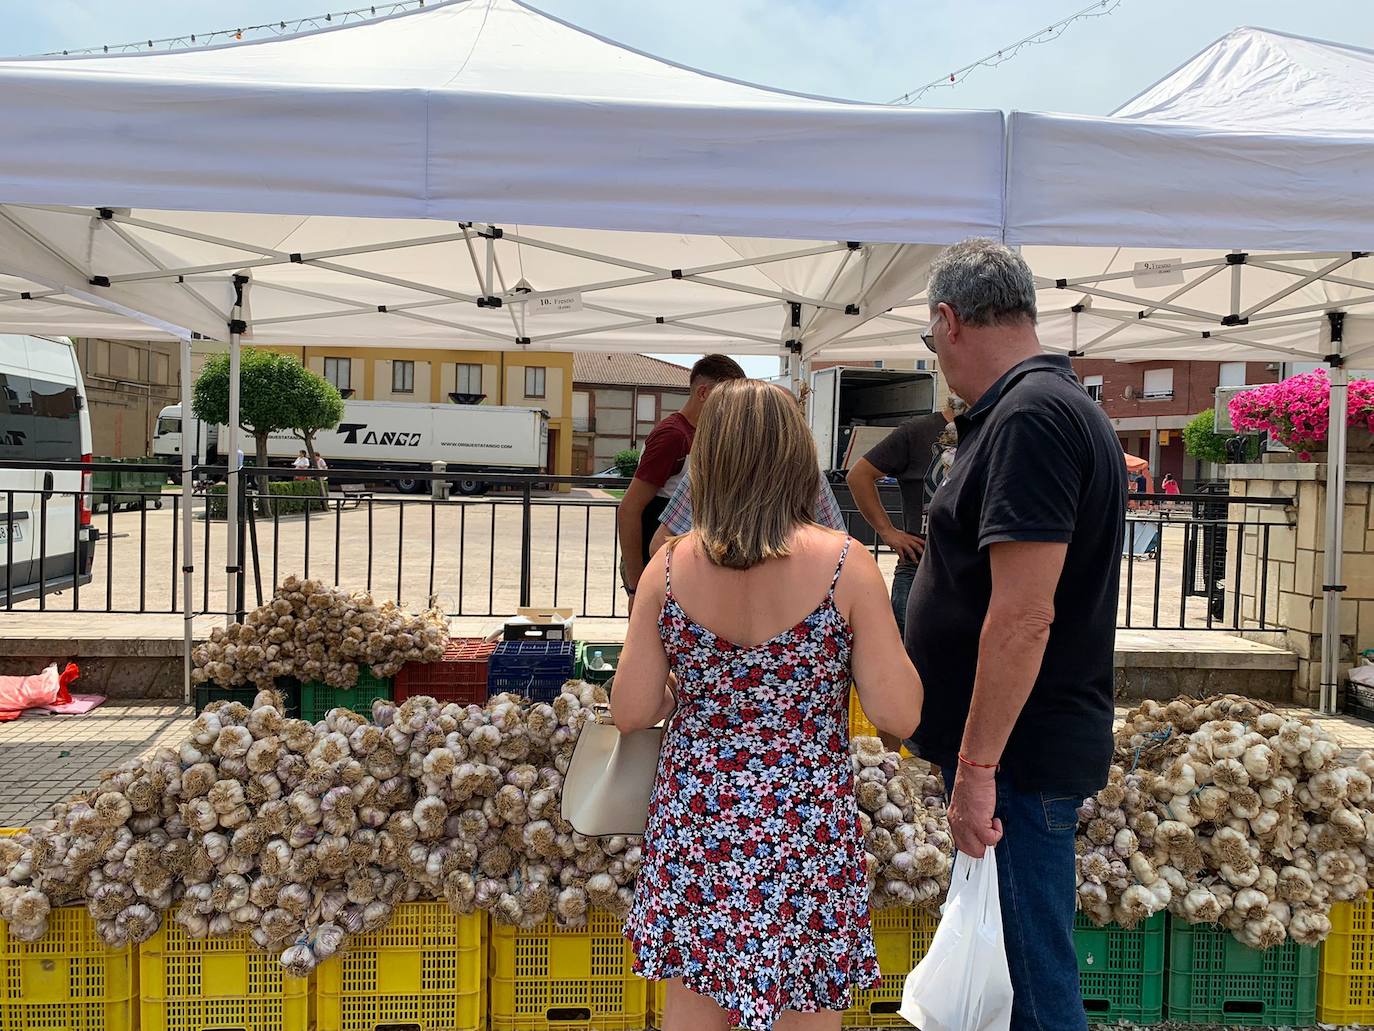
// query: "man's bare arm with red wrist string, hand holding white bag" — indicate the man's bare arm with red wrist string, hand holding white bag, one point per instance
point(1016, 632)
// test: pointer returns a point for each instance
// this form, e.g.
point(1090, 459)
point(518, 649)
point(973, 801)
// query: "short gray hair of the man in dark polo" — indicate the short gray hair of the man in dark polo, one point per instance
point(986, 284)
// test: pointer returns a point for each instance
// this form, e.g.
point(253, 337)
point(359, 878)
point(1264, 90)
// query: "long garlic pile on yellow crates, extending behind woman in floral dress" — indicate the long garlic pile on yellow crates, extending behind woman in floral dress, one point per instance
point(302, 835)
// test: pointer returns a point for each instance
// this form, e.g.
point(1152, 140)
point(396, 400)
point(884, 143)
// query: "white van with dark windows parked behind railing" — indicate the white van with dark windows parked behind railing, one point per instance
point(46, 534)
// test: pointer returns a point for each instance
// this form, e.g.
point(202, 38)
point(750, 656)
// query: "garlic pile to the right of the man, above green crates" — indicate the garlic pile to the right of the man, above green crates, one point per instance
point(1228, 812)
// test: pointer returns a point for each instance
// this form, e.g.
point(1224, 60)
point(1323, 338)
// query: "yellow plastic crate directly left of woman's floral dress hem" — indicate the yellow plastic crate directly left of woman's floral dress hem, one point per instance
point(550, 978)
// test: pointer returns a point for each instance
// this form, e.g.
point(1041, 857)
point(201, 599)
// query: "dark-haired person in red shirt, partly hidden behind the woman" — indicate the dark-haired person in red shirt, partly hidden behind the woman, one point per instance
point(662, 467)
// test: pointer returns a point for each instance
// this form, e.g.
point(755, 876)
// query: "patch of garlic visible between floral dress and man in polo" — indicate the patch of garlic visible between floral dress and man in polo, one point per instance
point(906, 830)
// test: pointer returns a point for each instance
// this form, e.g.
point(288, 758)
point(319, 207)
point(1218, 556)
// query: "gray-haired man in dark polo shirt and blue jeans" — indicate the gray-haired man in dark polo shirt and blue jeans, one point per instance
point(1013, 614)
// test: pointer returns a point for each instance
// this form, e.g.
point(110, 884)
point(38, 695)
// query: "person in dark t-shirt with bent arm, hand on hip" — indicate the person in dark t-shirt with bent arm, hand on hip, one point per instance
point(909, 454)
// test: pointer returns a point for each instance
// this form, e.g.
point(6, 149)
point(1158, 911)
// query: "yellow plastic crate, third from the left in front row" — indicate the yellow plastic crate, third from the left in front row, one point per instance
point(425, 971)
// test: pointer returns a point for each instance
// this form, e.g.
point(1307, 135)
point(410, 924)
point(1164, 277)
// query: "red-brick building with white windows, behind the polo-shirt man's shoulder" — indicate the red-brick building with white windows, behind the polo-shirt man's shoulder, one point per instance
point(1151, 403)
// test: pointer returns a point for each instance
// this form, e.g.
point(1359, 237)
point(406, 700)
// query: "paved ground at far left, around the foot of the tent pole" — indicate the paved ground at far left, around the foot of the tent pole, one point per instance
point(46, 760)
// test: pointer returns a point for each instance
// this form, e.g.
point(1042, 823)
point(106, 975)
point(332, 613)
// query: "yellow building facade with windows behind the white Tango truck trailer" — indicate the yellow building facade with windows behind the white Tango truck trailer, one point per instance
point(526, 380)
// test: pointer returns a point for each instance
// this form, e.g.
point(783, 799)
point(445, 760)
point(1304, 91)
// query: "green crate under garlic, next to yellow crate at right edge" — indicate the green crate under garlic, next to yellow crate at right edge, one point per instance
point(1214, 979)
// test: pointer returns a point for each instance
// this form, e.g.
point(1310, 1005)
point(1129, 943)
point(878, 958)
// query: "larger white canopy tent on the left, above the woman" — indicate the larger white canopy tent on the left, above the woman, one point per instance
point(469, 175)
